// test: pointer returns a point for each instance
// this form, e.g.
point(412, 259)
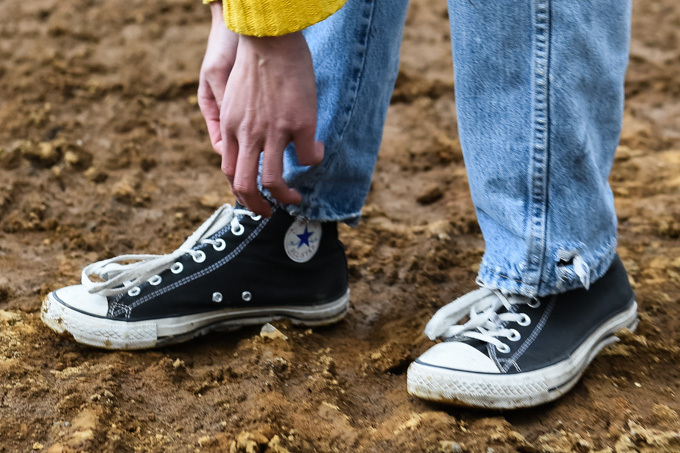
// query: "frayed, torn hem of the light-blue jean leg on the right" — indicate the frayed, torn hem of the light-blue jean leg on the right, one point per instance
point(568, 269)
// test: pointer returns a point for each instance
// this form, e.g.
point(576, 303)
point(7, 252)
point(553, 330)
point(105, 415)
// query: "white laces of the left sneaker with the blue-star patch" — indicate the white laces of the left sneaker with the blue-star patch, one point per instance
point(119, 278)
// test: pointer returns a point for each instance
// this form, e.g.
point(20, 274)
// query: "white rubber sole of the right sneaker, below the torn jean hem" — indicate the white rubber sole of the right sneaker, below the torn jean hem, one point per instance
point(514, 391)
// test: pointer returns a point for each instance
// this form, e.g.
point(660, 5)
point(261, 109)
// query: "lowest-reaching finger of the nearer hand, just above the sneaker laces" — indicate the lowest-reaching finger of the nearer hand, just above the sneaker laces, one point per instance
point(245, 180)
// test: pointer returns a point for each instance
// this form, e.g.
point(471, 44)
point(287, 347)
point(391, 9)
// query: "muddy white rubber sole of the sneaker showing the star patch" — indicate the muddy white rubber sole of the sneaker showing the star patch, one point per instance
point(112, 334)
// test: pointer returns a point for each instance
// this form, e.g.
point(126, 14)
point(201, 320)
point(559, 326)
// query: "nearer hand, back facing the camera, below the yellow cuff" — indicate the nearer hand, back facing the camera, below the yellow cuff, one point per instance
point(272, 101)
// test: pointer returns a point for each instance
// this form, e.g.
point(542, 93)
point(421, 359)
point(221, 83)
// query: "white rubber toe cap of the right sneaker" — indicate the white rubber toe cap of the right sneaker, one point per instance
point(458, 356)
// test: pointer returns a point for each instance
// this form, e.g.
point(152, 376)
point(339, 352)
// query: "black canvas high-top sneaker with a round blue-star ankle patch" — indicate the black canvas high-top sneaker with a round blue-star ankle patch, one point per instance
point(236, 269)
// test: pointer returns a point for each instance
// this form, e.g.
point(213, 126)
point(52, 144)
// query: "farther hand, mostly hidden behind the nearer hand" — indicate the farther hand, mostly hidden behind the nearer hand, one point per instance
point(217, 64)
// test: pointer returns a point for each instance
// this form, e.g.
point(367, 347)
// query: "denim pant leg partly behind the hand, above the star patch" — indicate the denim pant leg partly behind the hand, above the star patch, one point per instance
point(356, 58)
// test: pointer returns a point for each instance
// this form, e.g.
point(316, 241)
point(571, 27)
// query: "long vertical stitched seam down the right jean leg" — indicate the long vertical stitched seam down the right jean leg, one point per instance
point(539, 143)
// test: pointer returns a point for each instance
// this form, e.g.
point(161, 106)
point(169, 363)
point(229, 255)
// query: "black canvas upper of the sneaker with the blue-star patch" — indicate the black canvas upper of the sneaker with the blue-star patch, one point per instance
point(255, 263)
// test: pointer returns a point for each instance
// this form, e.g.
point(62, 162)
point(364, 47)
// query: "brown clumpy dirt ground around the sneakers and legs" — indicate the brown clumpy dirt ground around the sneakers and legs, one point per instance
point(103, 151)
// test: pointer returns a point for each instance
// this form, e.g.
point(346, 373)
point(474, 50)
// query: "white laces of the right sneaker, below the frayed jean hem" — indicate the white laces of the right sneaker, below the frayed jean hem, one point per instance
point(485, 324)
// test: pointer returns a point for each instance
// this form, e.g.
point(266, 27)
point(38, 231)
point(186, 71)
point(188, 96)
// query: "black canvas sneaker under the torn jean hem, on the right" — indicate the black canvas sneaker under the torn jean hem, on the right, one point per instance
point(518, 352)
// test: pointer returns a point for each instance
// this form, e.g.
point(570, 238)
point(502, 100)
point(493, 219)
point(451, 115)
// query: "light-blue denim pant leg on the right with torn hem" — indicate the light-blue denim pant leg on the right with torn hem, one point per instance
point(539, 94)
